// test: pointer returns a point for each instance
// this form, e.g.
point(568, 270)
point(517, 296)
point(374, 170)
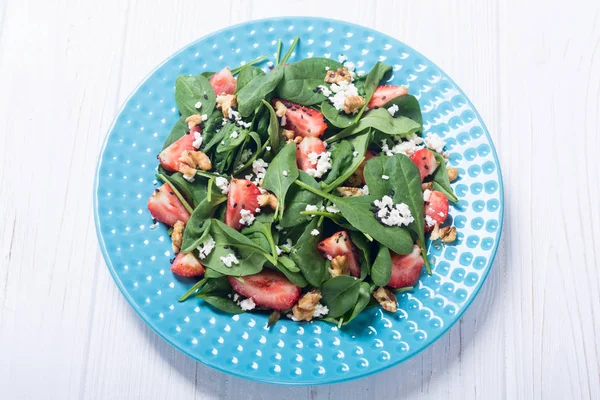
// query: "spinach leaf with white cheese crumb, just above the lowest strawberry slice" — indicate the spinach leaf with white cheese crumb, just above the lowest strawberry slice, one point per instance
point(251, 257)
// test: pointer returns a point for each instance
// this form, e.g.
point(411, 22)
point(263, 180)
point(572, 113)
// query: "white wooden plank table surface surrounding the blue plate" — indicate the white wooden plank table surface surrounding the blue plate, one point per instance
point(532, 68)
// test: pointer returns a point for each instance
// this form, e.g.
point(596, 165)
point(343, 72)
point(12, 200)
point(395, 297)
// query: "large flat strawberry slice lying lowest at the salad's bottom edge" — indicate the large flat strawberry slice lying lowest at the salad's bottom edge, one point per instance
point(269, 289)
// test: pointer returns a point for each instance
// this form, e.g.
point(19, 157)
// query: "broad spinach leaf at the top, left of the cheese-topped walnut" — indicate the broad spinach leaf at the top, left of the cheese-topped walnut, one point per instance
point(302, 78)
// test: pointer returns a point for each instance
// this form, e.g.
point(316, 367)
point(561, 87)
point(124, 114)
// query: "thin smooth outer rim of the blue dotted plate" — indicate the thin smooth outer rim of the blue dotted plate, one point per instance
point(261, 379)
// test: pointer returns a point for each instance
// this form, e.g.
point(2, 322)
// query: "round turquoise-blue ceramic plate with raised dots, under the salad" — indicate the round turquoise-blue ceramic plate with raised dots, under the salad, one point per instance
point(292, 353)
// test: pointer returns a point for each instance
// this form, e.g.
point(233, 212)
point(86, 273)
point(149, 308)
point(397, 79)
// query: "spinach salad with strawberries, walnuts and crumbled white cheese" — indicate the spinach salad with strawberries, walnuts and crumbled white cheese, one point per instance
point(305, 190)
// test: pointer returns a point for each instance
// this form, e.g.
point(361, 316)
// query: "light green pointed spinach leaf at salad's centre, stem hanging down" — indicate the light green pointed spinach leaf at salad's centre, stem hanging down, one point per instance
point(281, 173)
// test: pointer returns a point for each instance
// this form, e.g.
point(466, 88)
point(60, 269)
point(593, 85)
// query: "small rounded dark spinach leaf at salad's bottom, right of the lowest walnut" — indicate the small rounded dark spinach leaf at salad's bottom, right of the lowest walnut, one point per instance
point(340, 294)
